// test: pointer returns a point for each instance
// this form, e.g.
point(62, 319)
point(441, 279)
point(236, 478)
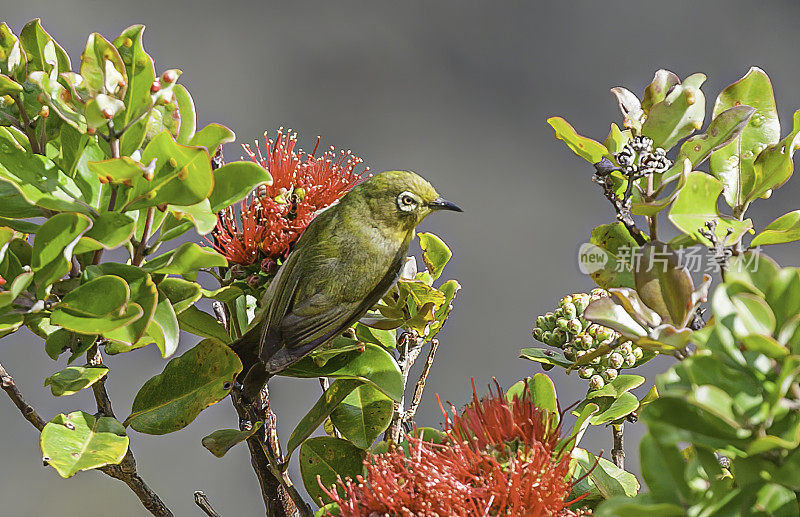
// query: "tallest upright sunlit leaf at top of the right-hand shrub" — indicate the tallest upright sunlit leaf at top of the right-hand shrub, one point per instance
point(733, 164)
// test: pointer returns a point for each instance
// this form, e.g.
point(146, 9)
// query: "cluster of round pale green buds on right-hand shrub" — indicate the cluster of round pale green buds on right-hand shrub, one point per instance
point(567, 329)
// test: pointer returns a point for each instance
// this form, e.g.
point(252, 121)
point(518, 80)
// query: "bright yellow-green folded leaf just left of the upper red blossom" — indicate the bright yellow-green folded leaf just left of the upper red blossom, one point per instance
point(182, 175)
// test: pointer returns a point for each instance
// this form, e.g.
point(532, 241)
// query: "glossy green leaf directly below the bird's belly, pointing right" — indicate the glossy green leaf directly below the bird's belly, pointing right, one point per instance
point(374, 365)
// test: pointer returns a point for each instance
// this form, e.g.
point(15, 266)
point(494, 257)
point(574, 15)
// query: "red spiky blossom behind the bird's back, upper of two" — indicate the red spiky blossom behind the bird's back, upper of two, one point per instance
point(270, 220)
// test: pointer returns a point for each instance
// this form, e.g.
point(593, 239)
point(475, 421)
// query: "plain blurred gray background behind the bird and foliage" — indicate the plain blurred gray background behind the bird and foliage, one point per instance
point(458, 91)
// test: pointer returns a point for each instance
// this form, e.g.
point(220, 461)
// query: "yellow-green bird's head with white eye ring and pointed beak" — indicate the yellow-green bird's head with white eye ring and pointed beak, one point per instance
point(400, 199)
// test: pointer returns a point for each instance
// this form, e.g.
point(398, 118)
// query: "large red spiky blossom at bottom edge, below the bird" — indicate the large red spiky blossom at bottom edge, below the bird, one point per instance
point(500, 458)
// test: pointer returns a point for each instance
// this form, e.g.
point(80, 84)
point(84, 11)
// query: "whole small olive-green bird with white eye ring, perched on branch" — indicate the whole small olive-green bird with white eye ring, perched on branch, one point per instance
point(344, 262)
